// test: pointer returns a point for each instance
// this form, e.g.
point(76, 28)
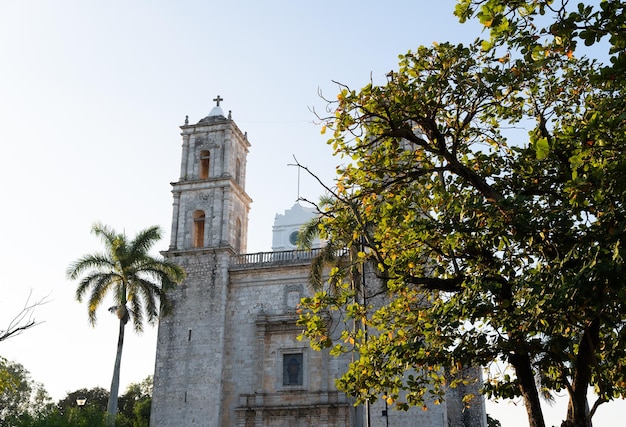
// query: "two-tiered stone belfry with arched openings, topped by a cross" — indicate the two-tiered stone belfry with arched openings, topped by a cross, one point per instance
point(210, 203)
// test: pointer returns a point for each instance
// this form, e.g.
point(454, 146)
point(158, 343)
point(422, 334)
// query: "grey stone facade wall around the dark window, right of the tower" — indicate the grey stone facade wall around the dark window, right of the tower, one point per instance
point(262, 306)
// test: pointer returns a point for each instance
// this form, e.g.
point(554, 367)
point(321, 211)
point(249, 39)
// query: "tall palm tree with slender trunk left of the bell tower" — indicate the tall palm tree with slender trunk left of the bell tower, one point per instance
point(136, 281)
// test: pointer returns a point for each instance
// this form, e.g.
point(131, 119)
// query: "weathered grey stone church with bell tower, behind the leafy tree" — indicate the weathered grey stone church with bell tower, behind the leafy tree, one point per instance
point(229, 354)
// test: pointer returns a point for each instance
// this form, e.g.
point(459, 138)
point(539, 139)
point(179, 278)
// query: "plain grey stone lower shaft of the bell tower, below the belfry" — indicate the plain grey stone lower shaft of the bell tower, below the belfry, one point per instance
point(189, 360)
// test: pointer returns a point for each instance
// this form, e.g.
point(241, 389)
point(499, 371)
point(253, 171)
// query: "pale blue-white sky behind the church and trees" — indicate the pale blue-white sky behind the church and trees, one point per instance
point(92, 95)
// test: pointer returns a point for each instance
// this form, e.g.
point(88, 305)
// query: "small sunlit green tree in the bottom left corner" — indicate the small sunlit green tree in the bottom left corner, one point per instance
point(19, 394)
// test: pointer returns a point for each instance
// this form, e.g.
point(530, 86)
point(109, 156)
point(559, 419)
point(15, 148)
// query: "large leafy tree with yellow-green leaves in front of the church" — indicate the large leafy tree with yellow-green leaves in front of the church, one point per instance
point(491, 244)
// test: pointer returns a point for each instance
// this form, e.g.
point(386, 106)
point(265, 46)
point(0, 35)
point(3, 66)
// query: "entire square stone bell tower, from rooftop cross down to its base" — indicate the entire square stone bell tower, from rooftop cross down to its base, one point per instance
point(209, 226)
